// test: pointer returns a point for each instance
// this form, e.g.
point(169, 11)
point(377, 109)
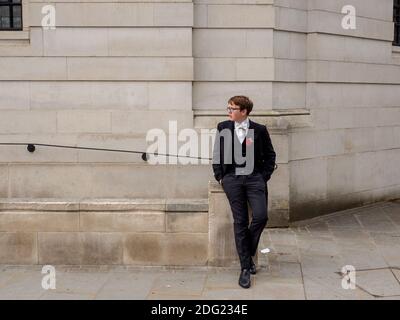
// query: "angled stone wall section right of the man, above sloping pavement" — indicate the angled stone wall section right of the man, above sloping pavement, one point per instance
point(349, 156)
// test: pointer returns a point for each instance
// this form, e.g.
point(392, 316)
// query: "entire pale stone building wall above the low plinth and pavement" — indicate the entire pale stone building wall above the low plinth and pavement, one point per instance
point(112, 70)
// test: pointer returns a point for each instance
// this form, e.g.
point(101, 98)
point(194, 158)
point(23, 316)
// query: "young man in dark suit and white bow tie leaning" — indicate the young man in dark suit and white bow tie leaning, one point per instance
point(243, 162)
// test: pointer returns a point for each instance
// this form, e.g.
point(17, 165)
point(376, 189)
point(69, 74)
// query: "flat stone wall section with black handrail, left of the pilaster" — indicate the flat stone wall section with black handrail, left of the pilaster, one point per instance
point(108, 73)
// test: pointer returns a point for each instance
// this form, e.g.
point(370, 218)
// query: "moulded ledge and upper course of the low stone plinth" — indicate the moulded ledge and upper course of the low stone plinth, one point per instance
point(104, 215)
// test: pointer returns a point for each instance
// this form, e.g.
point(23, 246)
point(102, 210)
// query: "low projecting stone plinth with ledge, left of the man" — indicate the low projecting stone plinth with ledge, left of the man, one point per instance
point(78, 232)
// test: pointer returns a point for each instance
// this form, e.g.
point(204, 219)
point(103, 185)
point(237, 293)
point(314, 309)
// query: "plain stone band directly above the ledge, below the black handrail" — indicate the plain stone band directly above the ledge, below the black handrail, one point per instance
point(108, 180)
